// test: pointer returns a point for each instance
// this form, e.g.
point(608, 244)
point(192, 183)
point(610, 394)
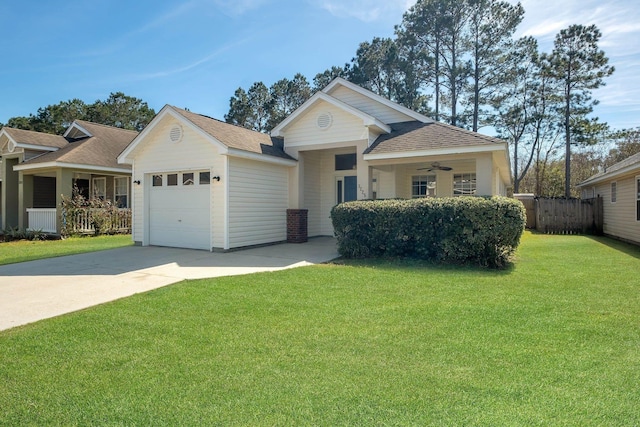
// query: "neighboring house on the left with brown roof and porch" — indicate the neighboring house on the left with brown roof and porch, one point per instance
point(38, 168)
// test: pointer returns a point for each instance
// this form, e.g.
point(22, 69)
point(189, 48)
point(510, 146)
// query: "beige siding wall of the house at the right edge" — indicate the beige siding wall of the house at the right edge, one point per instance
point(620, 217)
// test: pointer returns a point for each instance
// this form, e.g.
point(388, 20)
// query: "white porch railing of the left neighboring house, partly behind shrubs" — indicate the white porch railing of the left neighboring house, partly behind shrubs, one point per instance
point(81, 221)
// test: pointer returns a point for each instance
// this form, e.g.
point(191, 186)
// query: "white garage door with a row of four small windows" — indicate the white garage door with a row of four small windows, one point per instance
point(179, 210)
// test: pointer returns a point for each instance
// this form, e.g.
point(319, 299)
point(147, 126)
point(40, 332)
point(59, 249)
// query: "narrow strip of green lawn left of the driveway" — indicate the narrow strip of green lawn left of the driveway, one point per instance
point(24, 250)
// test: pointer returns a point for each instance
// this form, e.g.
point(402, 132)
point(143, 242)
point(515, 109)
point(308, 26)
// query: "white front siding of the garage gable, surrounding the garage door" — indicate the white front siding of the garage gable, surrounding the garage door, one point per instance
point(157, 153)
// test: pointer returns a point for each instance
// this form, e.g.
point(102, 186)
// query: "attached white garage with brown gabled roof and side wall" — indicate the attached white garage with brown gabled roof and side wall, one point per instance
point(200, 183)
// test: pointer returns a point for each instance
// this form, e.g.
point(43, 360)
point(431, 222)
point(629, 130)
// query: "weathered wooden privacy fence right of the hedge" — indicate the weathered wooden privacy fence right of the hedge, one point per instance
point(564, 216)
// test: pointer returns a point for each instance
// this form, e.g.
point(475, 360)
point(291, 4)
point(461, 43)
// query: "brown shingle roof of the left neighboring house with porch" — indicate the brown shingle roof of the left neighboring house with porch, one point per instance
point(101, 149)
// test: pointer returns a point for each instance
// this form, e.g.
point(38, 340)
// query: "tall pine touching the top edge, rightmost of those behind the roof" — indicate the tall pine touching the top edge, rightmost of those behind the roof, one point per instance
point(492, 24)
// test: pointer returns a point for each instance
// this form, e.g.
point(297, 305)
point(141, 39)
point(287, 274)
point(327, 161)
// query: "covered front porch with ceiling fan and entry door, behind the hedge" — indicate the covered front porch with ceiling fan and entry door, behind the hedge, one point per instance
point(330, 176)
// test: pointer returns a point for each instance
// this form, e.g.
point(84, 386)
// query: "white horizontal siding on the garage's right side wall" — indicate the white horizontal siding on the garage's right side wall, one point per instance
point(258, 200)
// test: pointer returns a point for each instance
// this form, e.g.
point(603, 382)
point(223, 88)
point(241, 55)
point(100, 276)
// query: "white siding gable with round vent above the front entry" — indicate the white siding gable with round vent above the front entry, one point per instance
point(344, 127)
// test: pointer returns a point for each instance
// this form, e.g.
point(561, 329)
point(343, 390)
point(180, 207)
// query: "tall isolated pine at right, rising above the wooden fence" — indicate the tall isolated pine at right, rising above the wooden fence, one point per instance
point(580, 65)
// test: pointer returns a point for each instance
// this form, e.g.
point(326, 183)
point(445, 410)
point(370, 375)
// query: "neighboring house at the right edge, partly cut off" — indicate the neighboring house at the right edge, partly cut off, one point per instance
point(619, 186)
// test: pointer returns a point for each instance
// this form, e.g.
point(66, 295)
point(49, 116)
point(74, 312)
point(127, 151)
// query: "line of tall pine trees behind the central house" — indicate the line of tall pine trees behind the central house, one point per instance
point(458, 62)
